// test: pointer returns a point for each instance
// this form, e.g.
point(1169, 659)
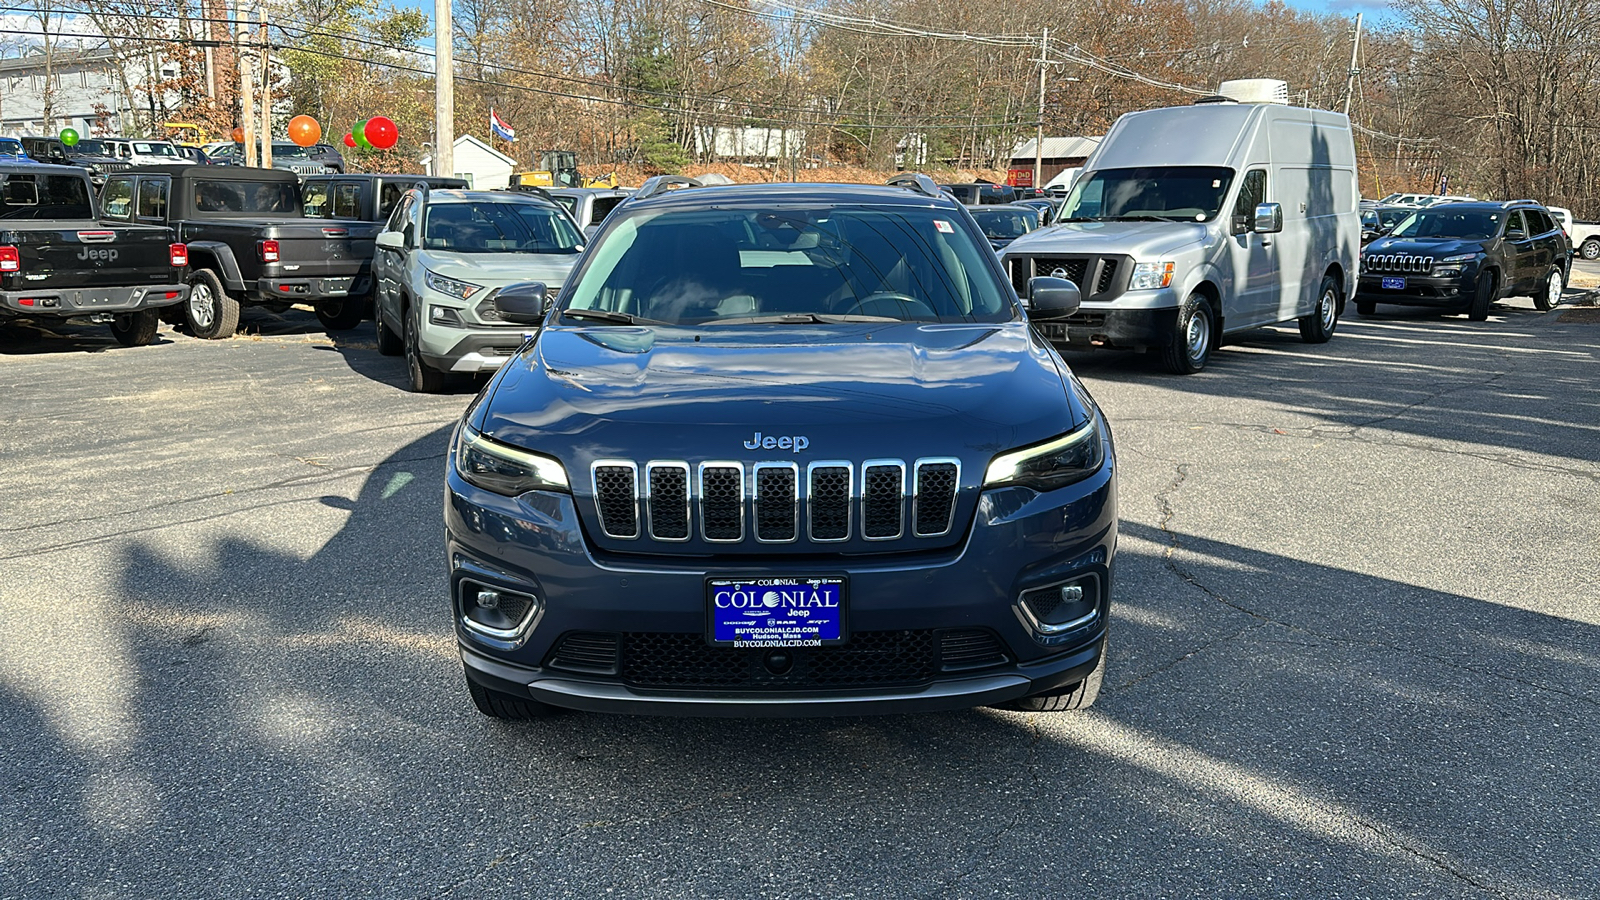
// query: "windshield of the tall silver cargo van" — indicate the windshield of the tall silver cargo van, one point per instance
point(1191, 193)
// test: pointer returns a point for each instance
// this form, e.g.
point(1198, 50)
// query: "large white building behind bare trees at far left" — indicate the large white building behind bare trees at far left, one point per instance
point(84, 90)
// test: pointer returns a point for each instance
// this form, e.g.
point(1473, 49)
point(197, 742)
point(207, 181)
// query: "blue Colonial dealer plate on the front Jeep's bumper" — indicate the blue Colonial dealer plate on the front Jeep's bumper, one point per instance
point(777, 613)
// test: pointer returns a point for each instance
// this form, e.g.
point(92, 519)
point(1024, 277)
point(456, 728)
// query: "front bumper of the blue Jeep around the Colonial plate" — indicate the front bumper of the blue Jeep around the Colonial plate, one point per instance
point(1020, 540)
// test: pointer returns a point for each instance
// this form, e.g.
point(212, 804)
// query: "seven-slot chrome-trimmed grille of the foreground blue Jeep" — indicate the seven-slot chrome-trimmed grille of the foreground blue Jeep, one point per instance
point(825, 502)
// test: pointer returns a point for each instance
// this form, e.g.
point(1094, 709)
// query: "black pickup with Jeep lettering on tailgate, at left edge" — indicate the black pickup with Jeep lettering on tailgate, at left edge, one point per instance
point(58, 262)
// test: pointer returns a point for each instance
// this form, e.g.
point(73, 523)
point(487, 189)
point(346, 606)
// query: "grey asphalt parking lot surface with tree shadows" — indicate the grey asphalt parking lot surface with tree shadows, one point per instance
point(1354, 651)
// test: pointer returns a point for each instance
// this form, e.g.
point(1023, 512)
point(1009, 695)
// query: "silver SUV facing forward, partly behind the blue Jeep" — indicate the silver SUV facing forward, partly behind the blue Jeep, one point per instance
point(442, 259)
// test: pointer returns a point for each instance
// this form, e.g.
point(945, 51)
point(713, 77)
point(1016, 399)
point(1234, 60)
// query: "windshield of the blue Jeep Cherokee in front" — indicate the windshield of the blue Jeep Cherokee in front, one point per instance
point(742, 265)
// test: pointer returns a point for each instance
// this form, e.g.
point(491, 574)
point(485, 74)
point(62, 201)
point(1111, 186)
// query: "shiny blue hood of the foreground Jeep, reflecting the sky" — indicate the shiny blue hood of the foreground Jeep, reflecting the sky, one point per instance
point(854, 392)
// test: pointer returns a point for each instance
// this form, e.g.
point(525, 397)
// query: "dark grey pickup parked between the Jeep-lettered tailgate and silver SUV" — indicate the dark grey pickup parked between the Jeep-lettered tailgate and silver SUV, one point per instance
point(250, 243)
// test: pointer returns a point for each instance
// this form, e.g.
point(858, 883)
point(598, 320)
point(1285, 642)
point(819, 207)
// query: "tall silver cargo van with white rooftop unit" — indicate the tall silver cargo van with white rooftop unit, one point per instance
point(1190, 223)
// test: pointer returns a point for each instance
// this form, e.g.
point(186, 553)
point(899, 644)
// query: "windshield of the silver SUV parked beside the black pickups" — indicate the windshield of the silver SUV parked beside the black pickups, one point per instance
point(500, 228)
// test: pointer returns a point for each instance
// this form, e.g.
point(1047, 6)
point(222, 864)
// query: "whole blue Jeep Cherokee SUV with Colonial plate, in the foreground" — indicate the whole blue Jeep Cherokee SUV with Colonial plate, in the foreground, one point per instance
point(783, 451)
